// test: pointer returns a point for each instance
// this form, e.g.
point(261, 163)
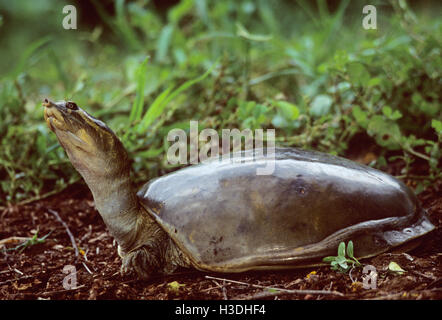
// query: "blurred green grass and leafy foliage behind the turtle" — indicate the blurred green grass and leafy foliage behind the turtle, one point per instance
point(306, 68)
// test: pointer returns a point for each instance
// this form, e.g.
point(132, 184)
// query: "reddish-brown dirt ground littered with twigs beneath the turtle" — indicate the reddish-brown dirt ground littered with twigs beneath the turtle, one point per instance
point(36, 272)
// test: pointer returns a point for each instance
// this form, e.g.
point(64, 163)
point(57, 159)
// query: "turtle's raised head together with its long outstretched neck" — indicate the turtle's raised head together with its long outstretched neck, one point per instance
point(99, 156)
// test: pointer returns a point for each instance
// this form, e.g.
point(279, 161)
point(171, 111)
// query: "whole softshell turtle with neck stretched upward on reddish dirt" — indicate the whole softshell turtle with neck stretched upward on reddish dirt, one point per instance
point(221, 216)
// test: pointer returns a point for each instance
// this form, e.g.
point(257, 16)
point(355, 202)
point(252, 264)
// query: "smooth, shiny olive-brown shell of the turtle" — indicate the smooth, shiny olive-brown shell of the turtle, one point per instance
point(227, 218)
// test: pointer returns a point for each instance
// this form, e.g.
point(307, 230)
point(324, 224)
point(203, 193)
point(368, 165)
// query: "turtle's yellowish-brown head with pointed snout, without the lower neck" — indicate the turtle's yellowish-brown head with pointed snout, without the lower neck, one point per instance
point(94, 150)
